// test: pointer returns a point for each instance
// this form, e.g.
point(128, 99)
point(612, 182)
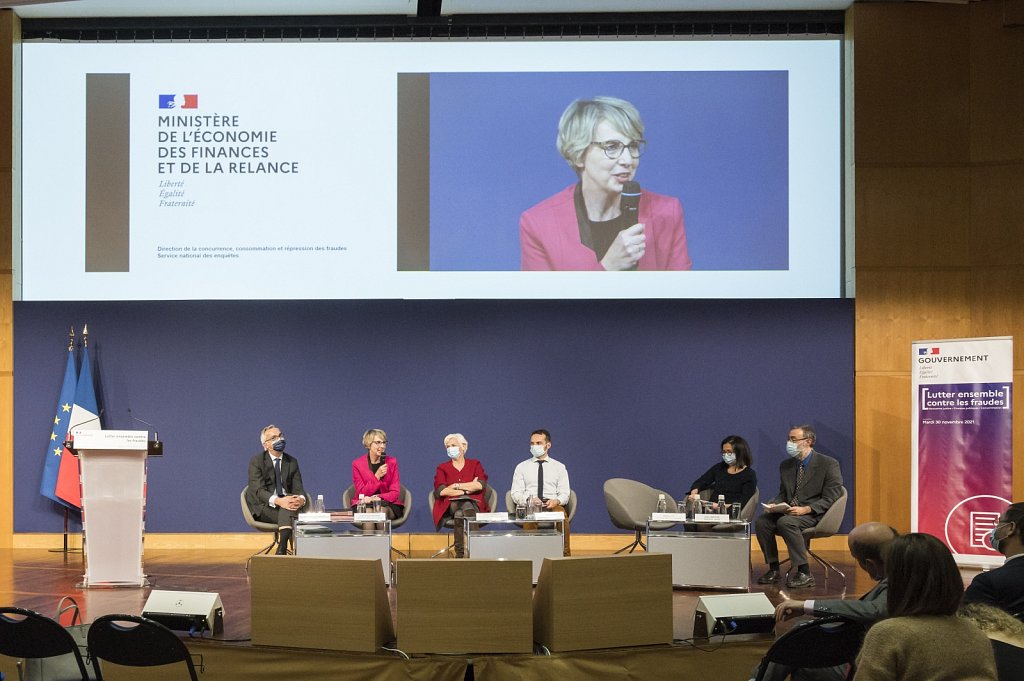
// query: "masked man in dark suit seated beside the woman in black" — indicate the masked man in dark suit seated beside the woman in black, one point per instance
point(809, 484)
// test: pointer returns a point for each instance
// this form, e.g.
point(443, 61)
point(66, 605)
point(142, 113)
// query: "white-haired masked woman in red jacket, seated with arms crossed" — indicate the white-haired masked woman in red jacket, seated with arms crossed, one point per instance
point(459, 486)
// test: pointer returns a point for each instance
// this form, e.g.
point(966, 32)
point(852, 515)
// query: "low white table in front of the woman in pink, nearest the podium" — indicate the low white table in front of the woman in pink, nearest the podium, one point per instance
point(346, 541)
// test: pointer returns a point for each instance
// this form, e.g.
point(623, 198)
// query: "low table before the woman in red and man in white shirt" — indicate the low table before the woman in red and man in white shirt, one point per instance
point(507, 539)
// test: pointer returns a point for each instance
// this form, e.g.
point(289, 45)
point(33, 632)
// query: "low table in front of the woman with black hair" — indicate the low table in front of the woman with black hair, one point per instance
point(707, 556)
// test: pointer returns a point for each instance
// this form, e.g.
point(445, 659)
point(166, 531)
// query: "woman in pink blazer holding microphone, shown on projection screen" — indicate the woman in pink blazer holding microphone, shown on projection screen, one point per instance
point(590, 225)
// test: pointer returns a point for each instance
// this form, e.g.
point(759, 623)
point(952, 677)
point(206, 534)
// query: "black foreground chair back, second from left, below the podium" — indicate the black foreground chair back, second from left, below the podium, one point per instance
point(135, 642)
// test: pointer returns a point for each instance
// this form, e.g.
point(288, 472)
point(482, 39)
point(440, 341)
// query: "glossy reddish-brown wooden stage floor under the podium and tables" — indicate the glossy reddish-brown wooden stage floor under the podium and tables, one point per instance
point(38, 579)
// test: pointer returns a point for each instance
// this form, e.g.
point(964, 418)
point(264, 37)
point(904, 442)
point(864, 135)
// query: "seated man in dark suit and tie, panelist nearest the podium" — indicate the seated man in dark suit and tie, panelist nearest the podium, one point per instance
point(275, 493)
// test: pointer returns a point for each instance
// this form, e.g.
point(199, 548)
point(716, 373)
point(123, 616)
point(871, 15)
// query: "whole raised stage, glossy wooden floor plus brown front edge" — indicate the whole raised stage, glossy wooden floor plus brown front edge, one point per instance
point(38, 579)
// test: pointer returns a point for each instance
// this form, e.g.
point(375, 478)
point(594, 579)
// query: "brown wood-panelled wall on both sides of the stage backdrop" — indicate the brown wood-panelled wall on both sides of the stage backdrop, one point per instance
point(938, 106)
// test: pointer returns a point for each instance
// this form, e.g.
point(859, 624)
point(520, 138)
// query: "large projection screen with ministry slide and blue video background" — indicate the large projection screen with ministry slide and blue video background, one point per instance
point(304, 203)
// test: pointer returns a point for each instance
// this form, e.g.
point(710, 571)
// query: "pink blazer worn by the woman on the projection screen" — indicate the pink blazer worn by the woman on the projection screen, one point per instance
point(549, 235)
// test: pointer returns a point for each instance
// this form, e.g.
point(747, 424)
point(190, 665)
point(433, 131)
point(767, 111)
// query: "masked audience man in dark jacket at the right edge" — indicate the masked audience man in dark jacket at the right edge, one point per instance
point(1004, 587)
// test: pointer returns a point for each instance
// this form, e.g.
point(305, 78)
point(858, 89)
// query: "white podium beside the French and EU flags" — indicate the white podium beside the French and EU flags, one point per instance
point(113, 473)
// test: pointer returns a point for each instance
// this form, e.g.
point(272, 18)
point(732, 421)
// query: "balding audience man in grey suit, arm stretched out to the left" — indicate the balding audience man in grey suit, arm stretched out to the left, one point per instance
point(869, 545)
